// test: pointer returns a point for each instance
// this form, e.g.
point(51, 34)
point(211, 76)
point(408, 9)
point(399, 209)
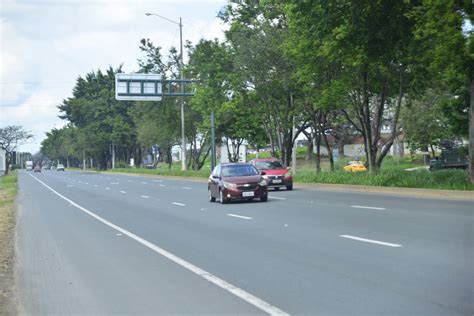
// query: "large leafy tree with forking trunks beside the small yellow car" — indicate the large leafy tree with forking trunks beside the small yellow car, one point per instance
point(366, 47)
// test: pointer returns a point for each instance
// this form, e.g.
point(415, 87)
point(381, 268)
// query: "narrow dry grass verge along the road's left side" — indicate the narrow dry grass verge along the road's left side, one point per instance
point(8, 190)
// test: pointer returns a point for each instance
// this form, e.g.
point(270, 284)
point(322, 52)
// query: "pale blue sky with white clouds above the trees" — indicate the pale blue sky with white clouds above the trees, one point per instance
point(45, 45)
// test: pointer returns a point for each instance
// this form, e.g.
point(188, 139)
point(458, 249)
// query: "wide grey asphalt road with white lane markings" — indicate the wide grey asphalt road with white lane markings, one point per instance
point(104, 244)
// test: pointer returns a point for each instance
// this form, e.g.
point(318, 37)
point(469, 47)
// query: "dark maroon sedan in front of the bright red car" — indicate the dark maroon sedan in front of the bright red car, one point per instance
point(236, 181)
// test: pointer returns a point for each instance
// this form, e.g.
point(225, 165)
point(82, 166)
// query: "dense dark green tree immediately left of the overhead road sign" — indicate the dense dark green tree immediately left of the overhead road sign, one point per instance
point(102, 120)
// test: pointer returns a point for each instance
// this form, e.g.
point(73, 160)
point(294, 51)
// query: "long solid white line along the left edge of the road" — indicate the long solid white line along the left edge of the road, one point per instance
point(247, 297)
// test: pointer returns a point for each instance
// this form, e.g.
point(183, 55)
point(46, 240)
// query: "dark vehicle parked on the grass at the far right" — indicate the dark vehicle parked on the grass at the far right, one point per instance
point(451, 157)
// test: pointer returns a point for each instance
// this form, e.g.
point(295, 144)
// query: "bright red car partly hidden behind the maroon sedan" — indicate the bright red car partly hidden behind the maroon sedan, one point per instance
point(276, 175)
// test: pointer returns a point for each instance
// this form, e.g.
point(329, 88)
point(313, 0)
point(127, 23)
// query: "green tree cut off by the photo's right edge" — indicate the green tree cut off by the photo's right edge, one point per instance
point(447, 59)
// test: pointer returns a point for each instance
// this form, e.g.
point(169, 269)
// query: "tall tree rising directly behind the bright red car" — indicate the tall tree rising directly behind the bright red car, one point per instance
point(257, 34)
